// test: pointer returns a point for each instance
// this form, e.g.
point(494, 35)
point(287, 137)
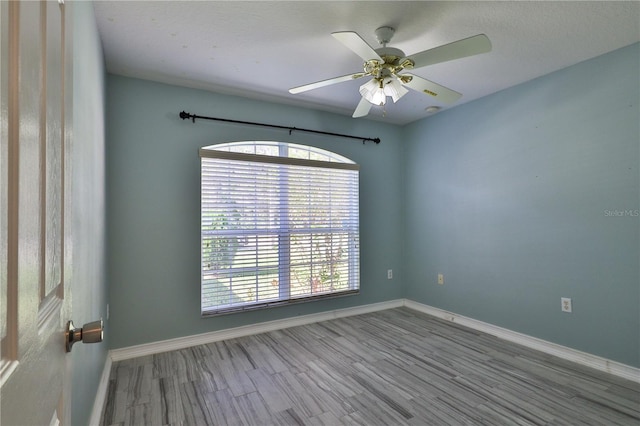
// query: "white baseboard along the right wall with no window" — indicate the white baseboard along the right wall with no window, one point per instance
point(583, 358)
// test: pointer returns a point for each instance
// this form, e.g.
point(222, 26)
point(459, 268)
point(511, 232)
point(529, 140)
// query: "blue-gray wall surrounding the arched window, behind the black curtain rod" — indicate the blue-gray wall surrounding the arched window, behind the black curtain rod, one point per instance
point(153, 208)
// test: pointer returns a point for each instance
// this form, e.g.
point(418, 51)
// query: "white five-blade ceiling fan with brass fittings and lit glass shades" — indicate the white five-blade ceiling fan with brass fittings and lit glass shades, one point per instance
point(386, 65)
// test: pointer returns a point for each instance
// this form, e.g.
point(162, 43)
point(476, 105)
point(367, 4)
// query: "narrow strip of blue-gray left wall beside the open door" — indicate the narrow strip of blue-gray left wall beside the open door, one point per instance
point(89, 285)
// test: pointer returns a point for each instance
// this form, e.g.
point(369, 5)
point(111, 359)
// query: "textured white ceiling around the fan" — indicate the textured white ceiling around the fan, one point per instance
point(261, 49)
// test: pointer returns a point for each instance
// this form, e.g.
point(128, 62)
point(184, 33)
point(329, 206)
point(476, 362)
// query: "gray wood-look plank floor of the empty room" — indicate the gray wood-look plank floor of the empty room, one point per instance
point(394, 367)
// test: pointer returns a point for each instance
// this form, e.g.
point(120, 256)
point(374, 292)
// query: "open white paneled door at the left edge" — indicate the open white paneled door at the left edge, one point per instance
point(35, 236)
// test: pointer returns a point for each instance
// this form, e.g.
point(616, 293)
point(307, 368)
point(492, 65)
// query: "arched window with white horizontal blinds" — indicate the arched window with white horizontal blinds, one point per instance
point(279, 224)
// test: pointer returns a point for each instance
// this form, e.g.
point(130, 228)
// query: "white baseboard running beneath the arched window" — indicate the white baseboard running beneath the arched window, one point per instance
point(247, 330)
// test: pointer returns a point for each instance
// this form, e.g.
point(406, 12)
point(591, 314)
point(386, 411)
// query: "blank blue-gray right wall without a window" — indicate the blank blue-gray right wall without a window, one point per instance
point(516, 199)
